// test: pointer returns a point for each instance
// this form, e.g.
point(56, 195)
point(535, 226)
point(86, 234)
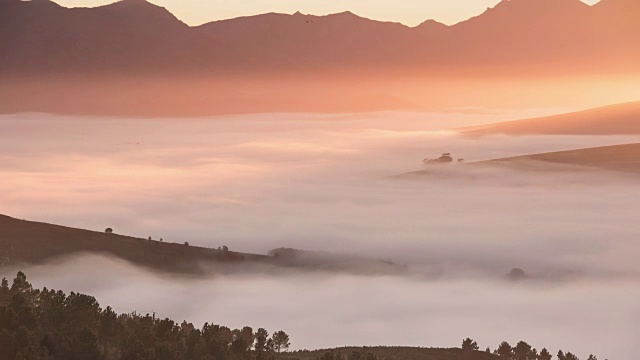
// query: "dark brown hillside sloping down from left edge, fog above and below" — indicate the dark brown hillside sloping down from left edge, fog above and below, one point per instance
point(31, 242)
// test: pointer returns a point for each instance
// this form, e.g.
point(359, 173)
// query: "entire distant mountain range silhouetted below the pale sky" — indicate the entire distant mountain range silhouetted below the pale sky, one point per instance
point(550, 36)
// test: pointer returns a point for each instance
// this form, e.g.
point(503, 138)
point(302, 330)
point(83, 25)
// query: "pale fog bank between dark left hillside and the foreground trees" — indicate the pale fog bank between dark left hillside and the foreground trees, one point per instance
point(322, 310)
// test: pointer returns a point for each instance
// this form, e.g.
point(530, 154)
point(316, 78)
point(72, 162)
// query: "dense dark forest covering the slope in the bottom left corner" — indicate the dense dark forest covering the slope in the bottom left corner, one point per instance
point(50, 325)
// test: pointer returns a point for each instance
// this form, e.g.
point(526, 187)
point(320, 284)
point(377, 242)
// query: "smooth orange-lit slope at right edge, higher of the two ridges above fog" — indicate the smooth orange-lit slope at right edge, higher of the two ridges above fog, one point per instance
point(618, 119)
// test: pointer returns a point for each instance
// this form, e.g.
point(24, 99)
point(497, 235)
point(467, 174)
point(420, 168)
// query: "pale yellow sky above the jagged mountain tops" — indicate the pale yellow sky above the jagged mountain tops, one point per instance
point(410, 12)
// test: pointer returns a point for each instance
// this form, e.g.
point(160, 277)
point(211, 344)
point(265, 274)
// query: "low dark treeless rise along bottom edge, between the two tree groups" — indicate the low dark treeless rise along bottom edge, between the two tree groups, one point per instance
point(395, 353)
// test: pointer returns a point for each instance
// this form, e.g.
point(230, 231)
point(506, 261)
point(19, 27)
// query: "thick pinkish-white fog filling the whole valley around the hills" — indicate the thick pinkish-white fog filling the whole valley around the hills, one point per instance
point(329, 183)
